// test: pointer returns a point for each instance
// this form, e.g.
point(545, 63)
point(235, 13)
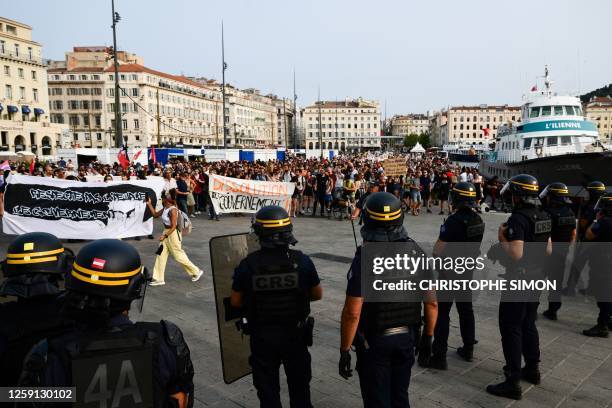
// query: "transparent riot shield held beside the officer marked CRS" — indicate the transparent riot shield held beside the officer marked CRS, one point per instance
point(226, 252)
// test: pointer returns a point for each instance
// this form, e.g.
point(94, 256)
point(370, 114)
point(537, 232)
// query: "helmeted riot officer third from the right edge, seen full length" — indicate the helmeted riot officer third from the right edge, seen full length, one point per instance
point(556, 202)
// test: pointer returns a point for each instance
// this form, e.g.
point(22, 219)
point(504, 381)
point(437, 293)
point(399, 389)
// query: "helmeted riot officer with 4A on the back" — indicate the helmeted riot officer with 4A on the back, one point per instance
point(108, 358)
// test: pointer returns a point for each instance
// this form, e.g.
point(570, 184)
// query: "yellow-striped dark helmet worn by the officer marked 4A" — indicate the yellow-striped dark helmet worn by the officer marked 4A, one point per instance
point(108, 269)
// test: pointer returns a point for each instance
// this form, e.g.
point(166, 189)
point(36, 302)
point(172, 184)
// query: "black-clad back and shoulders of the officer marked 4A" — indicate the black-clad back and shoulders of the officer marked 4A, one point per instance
point(117, 366)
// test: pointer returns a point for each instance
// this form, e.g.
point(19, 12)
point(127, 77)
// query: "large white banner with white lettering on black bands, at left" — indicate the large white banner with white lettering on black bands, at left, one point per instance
point(79, 210)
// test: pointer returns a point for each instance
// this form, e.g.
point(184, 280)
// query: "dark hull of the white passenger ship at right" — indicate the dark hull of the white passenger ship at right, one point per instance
point(575, 170)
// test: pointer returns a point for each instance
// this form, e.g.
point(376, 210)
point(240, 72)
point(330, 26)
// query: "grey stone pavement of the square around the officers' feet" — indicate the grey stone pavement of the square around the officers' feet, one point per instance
point(577, 371)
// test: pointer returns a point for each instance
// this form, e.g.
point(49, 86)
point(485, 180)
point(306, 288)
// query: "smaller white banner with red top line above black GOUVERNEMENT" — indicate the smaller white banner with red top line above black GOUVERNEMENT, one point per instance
point(230, 195)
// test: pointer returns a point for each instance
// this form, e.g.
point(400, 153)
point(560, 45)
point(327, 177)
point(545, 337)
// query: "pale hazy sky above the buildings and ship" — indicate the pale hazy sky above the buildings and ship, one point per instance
point(415, 55)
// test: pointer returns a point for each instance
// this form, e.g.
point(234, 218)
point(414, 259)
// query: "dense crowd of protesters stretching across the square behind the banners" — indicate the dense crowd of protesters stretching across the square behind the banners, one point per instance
point(318, 182)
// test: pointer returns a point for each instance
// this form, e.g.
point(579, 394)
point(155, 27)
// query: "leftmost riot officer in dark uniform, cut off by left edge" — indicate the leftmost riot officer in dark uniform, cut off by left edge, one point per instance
point(35, 263)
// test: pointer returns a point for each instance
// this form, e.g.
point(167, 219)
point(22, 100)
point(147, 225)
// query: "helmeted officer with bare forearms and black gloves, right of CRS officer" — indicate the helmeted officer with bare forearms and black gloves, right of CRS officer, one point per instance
point(385, 334)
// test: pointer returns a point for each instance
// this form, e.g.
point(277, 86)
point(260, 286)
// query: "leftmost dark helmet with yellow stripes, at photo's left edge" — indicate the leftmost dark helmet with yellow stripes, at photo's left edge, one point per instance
point(34, 263)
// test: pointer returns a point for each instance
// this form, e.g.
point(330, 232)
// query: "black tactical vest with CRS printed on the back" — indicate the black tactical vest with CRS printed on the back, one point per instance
point(276, 298)
